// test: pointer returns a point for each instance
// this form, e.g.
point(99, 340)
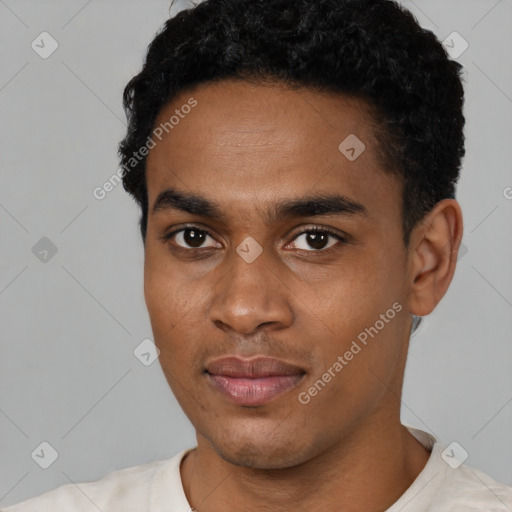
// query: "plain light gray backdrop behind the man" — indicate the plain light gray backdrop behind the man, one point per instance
point(69, 325)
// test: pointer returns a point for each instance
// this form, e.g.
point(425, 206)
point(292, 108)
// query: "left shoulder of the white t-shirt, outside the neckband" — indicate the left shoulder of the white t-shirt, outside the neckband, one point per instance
point(128, 489)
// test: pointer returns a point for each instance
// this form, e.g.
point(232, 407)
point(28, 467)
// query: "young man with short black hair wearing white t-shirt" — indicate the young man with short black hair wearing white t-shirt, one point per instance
point(295, 163)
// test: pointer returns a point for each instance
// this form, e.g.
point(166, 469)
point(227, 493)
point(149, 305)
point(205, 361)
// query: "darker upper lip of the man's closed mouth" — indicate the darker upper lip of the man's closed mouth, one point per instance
point(257, 367)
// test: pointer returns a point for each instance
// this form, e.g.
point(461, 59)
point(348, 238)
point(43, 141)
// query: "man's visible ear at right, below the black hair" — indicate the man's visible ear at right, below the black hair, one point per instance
point(433, 250)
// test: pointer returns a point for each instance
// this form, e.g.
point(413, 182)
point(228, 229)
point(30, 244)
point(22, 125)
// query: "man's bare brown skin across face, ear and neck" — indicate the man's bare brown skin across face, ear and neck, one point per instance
point(248, 146)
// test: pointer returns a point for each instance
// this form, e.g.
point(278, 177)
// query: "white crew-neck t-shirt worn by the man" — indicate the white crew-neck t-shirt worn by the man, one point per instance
point(157, 487)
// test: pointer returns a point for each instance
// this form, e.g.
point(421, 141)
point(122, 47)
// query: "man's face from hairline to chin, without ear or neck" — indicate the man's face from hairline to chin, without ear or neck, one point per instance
point(304, 299)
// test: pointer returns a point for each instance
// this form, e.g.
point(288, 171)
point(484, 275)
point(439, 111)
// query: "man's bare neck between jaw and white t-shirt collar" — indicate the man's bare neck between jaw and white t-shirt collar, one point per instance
point(367, 470)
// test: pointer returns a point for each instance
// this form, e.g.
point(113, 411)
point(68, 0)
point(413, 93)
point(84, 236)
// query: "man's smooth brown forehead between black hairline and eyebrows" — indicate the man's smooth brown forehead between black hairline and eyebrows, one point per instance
point(244, 142)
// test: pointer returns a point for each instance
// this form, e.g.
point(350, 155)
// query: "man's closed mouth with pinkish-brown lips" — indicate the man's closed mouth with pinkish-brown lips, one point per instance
point(253, 382)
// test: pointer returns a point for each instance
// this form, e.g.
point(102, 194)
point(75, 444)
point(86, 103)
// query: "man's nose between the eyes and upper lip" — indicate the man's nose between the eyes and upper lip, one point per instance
point(251, 295)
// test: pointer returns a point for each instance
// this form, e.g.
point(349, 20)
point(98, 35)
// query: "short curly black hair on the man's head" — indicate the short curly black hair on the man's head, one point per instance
point(369, 49)
